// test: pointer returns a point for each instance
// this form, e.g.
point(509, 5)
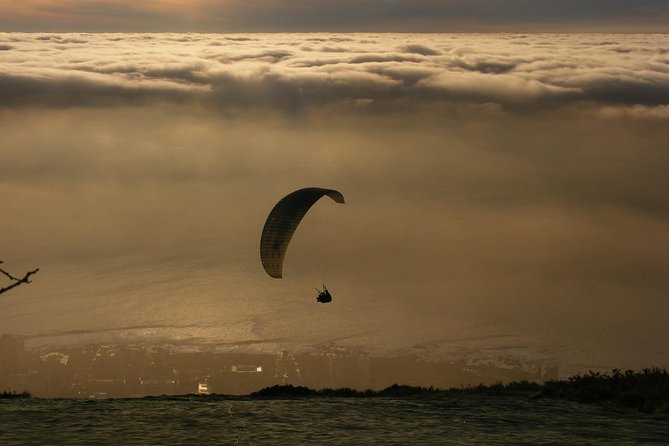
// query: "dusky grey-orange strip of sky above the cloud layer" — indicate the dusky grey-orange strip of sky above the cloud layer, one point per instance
point(335, 15)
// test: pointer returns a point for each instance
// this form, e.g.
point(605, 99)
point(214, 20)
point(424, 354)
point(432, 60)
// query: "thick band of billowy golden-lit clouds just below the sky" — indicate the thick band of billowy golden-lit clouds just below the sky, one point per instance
point(294, 72)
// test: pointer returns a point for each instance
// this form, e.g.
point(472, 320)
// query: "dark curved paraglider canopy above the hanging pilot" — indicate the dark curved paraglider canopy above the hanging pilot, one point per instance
point(282, 222)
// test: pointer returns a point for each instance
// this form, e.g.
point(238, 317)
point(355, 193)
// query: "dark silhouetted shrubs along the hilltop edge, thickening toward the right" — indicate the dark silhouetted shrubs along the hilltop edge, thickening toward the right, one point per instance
point(646, 391)
